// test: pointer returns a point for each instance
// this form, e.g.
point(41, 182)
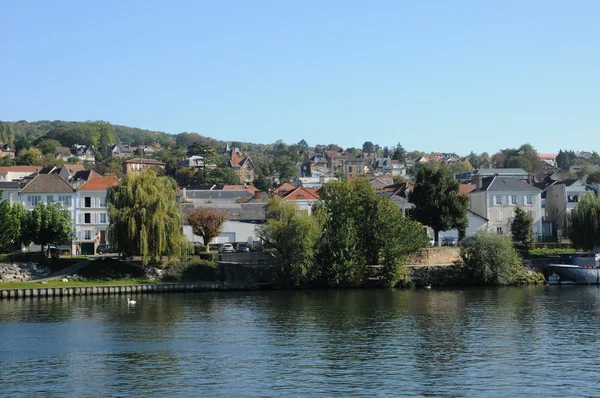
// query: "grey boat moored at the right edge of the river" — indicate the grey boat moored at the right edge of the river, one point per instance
point(574, 268)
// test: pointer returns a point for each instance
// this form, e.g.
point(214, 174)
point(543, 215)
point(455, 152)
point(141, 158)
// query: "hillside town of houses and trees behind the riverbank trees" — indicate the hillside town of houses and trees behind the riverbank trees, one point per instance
point(74, 164)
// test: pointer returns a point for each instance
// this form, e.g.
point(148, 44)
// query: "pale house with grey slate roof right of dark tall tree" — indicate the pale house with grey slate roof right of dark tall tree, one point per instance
point(496, 198)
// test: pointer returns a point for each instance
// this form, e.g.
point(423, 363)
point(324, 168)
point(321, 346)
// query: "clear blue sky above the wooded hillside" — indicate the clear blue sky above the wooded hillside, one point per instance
point(433, 75)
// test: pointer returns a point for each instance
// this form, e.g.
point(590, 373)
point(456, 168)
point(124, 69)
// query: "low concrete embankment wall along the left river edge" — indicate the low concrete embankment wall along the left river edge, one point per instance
point(111, 290)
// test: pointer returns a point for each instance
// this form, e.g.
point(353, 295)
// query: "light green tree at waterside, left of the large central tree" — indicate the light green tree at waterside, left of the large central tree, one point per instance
point(293, 235)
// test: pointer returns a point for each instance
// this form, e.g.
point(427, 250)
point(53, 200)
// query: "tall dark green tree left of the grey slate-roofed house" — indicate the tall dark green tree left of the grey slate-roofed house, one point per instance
point(438, 201)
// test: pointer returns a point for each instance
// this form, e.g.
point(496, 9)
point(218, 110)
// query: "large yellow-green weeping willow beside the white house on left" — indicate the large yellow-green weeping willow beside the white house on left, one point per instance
point(145, 219)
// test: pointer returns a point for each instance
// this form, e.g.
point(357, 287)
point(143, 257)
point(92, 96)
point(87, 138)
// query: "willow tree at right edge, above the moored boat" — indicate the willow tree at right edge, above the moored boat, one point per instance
point(584, 222)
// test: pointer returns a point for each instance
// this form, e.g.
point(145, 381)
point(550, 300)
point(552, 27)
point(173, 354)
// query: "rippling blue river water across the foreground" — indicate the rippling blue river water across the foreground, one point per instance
point(478, 342)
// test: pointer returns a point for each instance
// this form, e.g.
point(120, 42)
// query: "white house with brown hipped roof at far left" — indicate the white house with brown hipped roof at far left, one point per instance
point(49, 188)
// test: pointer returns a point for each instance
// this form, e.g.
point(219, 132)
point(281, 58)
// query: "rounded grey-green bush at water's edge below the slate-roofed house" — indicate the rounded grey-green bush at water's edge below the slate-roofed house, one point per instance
point(490, 260)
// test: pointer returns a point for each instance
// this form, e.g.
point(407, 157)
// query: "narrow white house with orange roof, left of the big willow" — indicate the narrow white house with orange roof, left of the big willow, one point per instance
point(91, 213)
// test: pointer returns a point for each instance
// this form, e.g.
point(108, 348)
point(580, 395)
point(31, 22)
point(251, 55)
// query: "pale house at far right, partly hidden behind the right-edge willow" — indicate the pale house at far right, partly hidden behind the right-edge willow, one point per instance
point(561, 198)
